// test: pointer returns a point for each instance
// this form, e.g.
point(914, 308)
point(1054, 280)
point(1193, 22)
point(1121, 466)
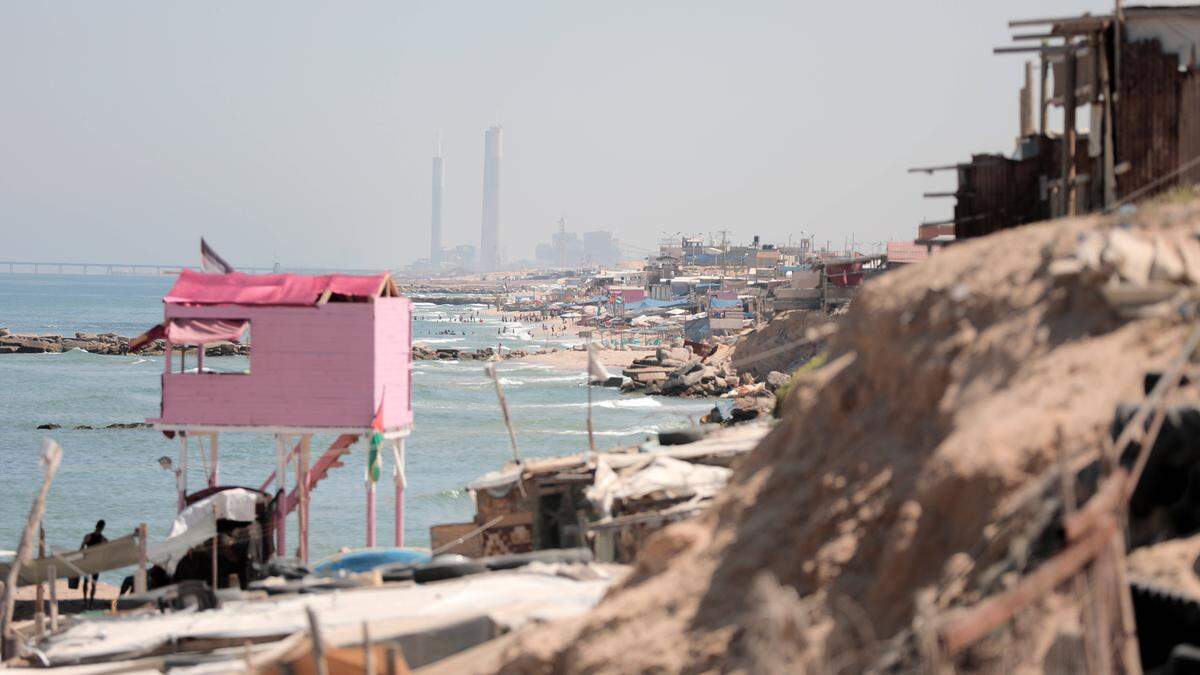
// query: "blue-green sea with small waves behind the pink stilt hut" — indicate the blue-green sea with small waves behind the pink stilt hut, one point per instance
point(115, 474)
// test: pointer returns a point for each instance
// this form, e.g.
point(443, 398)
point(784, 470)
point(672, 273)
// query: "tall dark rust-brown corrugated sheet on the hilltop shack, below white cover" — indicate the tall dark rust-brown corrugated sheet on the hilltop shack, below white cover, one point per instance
point(1148, 117)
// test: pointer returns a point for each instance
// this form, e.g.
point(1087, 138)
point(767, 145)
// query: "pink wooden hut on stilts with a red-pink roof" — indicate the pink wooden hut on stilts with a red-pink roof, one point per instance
point(328, 355)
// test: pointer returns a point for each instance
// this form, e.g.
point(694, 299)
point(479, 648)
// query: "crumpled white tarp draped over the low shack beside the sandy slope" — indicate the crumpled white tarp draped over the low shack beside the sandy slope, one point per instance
point(663, 474)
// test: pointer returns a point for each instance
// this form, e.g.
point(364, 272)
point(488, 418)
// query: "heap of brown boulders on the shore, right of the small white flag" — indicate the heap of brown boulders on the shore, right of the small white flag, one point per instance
point(680, 372)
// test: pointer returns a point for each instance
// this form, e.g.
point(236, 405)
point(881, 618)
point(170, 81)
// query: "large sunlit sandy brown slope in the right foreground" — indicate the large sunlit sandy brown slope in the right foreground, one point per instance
point(908, 481)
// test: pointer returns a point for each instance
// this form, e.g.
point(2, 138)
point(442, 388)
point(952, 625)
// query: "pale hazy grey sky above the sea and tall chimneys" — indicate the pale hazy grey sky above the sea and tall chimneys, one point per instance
point(304, 130)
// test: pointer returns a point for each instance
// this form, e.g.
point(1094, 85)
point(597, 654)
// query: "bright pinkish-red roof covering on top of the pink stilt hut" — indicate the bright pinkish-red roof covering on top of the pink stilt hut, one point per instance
point(238, 289)
